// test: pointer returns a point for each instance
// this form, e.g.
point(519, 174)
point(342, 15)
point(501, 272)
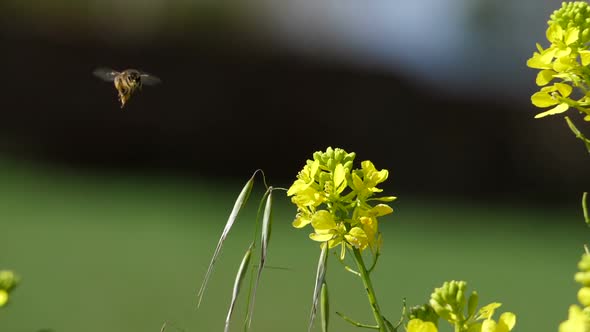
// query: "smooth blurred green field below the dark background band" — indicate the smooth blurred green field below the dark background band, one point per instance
point(127, 252)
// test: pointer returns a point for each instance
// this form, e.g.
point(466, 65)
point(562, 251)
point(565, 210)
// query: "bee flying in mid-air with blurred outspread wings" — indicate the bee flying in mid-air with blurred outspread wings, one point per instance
point(127, 81)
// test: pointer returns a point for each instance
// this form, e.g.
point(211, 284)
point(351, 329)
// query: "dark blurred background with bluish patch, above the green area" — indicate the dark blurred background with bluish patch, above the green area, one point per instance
point(436, 91)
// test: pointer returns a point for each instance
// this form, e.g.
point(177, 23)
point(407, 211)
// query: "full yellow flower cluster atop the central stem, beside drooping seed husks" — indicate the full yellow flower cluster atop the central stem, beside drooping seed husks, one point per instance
point(335, 199)
